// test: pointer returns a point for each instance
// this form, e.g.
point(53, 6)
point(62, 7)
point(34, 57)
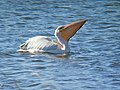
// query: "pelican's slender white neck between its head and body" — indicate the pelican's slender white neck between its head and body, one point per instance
point(62, 42)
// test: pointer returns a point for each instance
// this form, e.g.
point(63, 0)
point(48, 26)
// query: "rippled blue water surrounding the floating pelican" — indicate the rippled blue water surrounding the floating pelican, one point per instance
point(94, 60)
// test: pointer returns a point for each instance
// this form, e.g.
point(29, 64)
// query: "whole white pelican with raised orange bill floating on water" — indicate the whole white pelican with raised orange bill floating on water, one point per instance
point(63, 34)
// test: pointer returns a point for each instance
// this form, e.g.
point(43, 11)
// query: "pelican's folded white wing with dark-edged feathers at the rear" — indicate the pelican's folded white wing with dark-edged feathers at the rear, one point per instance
point(39, 42)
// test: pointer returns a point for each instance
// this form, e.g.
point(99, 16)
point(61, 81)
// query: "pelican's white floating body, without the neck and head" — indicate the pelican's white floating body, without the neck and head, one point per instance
point(42, 44)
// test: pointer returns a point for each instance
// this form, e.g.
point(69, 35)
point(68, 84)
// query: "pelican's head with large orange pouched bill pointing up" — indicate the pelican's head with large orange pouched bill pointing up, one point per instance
point(69, 30)
